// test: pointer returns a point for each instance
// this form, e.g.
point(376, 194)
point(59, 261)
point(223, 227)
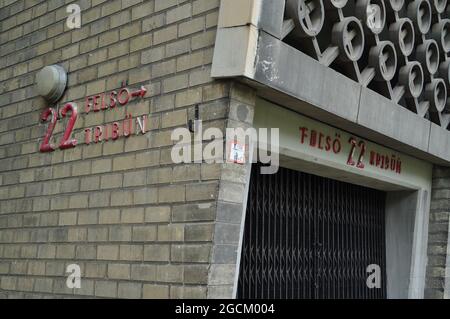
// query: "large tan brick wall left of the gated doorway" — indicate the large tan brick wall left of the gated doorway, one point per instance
point(138, 225)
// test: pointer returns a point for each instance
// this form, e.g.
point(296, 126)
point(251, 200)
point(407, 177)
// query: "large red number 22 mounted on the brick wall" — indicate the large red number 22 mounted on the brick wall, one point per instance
point(50, 114)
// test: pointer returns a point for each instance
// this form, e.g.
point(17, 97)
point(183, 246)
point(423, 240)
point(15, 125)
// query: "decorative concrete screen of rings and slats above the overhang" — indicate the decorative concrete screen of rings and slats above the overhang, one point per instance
point(397, 48)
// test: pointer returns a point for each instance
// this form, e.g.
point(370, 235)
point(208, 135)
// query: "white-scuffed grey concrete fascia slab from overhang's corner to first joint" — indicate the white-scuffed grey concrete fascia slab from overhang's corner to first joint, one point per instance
point(279, 66)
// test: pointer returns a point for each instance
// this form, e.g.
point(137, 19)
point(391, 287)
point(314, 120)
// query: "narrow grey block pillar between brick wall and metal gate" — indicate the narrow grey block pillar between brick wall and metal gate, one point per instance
point(231, 204)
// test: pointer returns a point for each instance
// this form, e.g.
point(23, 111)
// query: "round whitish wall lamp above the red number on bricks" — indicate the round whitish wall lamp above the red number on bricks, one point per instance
point(51, 82)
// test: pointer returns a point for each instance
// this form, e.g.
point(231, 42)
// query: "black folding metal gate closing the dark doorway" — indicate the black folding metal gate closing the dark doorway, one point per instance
point(311, 237)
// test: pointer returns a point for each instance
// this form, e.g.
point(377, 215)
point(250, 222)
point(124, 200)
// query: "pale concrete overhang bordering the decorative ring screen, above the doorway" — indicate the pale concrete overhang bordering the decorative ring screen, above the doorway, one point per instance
point(248, 48)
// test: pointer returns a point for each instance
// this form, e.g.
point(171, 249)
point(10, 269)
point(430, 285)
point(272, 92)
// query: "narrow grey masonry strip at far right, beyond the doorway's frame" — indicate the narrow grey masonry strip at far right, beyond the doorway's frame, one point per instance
point(438, 284)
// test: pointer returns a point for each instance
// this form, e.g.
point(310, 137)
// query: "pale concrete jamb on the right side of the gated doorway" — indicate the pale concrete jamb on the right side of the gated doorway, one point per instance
point(407, 215)
